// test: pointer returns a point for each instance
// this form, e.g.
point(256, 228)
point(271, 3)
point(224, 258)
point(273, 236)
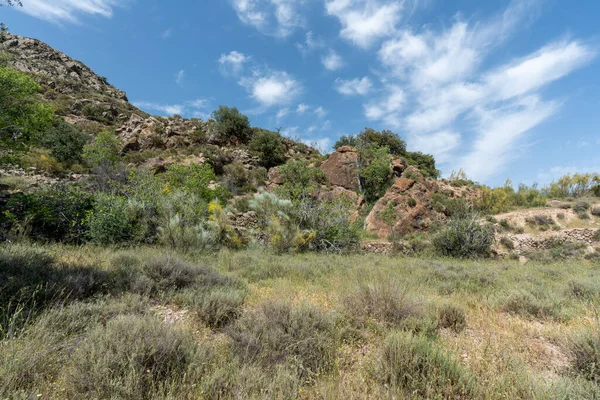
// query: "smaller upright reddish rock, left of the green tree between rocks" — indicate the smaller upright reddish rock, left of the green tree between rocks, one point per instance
point(341, 168)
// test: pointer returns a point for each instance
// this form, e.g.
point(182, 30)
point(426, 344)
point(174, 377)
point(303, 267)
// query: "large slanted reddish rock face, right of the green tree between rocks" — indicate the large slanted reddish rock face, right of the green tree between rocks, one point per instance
point(405, 207)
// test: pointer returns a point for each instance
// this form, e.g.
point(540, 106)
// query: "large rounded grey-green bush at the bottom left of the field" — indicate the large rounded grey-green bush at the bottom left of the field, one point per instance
point(130, 357)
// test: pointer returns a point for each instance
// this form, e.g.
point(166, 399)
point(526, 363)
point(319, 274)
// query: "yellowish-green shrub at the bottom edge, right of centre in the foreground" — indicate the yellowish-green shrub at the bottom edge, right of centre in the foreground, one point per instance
point(418, 368)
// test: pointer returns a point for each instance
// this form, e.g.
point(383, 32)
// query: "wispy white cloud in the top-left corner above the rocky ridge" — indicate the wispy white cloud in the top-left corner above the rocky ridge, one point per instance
point(68, 10)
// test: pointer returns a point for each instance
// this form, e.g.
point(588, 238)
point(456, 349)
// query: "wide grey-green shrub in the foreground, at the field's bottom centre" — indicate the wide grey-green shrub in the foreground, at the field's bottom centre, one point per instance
point(277, 333)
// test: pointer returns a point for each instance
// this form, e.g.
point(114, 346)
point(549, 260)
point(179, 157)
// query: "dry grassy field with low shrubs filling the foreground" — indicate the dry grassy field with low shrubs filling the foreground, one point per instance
point(91, 322)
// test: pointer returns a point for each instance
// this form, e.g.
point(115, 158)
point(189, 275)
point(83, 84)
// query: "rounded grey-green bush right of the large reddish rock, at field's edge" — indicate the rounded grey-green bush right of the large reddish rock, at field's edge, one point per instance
point(464, 238)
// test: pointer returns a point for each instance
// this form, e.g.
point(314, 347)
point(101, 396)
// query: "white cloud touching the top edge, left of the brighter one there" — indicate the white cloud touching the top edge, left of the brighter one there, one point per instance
point(271, 17)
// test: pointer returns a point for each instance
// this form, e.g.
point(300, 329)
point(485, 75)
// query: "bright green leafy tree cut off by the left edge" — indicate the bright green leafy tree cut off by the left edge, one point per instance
point(21, 115)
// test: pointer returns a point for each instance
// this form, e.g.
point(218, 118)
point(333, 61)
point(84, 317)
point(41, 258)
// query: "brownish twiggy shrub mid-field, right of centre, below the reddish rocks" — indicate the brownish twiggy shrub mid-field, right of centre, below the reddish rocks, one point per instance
point(383, 301)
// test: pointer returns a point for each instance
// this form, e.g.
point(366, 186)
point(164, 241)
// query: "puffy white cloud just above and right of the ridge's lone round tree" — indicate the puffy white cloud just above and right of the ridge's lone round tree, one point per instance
point(272, 88)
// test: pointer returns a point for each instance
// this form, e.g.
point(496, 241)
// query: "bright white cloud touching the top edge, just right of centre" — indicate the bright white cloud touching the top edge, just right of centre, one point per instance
point(365, 21)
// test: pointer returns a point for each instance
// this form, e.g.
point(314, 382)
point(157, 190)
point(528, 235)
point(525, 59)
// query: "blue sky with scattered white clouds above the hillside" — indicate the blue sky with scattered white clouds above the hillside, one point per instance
point(502, 89)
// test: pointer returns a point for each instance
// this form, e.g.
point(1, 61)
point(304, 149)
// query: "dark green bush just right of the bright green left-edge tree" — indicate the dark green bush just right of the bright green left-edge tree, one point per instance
point(64, 141)
